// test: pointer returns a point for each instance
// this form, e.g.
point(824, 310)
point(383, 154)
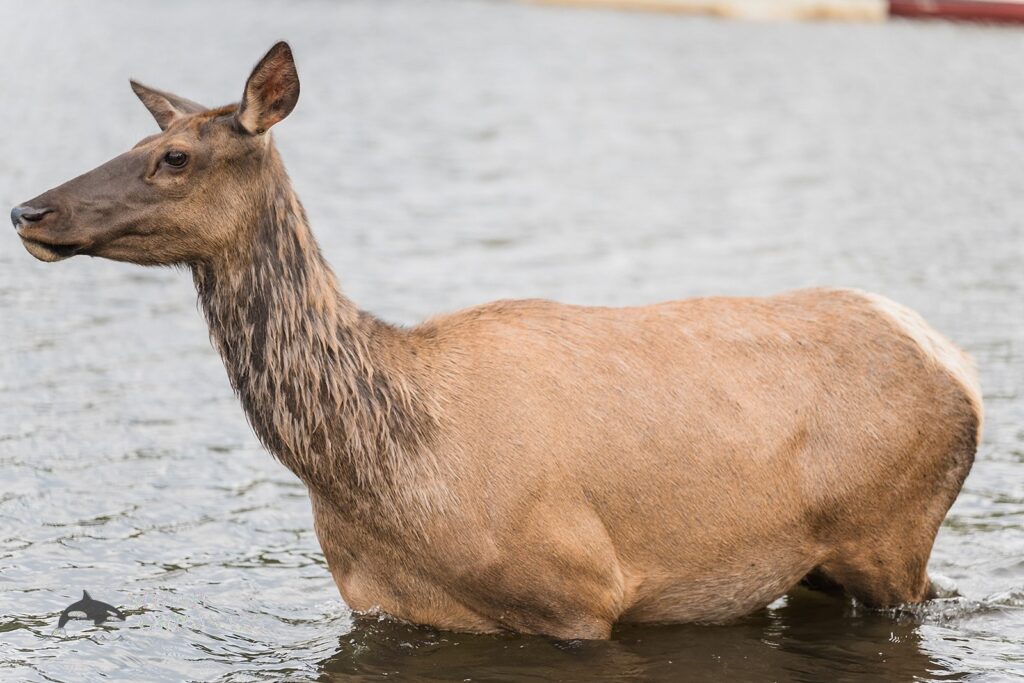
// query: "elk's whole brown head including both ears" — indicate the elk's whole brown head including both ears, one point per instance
point(179, 197)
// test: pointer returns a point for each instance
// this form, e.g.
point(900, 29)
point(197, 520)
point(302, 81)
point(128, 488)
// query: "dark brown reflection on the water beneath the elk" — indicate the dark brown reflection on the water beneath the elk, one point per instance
point(784, 643)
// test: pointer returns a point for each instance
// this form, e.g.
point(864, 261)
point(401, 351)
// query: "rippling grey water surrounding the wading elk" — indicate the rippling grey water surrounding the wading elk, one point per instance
point(450, 154)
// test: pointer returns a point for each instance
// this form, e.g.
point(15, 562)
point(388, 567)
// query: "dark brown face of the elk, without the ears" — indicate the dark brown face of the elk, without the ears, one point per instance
point(168, 200)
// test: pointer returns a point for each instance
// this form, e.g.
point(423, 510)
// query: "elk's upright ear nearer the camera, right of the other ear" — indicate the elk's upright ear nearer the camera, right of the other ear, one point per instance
point(272, 92)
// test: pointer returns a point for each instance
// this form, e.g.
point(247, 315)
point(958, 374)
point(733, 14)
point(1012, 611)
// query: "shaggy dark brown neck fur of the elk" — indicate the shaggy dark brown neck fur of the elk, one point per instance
point(318, 378)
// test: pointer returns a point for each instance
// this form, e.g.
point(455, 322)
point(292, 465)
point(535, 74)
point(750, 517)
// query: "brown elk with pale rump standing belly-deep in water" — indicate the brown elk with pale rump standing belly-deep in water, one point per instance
point(533, 466)
